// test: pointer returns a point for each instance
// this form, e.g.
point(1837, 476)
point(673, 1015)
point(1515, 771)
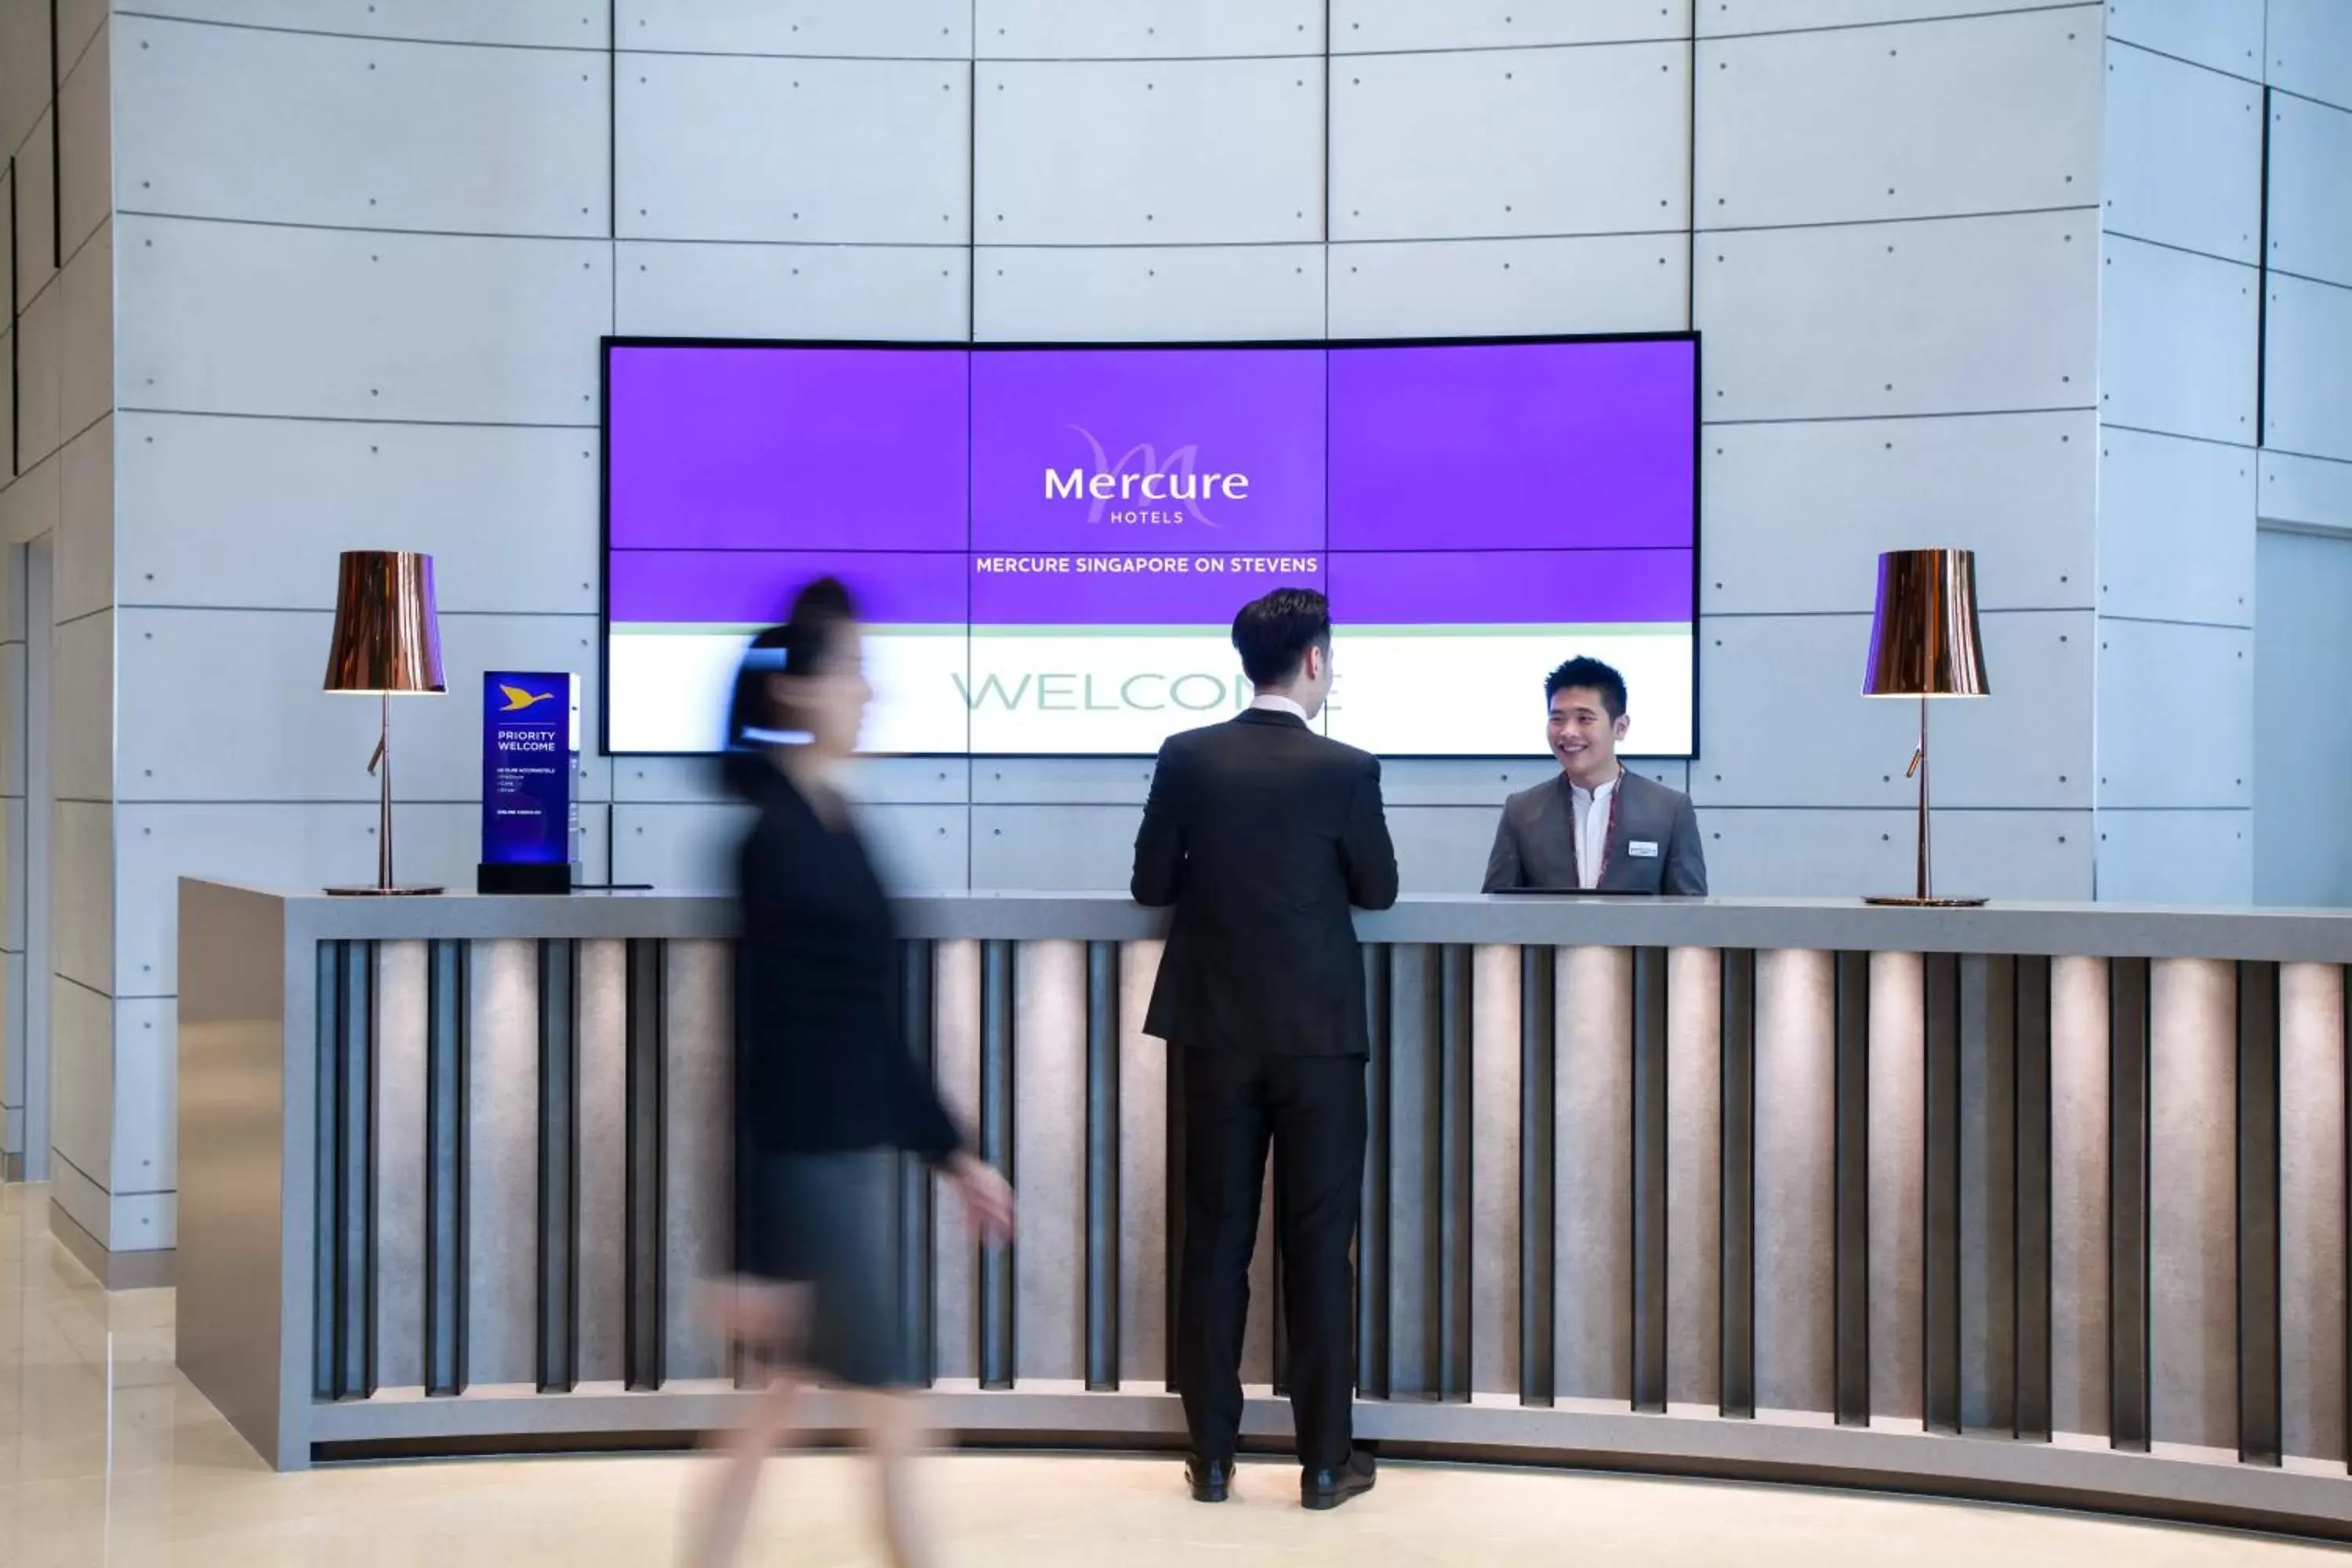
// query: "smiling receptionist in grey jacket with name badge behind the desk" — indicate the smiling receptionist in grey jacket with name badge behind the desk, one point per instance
point(1596, 826)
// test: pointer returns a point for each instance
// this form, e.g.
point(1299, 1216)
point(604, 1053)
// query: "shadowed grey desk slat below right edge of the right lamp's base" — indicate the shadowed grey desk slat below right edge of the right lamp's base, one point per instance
point(1989, 1170)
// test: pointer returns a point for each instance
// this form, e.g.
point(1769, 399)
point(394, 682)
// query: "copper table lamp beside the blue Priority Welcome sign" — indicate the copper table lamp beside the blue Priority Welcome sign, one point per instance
point(387, 643)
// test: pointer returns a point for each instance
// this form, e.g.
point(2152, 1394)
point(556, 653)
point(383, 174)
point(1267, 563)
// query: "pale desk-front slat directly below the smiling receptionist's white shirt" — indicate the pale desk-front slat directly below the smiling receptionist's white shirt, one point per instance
point(1593, 1209)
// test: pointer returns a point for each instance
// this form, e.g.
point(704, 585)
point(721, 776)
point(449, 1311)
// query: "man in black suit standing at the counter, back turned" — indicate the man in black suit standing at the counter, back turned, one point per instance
point(1262, 836)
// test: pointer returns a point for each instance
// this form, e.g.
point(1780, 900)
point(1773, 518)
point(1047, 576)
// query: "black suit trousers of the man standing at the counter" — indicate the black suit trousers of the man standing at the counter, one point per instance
point(1311, 1113)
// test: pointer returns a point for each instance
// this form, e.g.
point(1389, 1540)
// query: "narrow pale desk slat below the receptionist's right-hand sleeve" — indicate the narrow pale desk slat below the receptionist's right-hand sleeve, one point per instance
point(1695, 1179)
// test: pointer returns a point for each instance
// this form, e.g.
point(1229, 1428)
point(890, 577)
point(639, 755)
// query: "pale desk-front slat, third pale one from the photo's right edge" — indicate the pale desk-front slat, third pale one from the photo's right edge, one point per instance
point(2080, 1207)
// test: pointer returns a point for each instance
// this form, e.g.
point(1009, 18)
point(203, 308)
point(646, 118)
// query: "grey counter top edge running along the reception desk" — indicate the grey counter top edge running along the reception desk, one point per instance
point(2059, 930)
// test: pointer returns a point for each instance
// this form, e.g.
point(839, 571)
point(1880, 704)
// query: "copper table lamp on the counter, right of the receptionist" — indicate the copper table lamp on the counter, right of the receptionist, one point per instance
point(1925, 645)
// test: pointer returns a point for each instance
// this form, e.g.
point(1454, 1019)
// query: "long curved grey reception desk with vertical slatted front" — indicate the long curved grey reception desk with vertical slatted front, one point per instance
point(2022, 1202)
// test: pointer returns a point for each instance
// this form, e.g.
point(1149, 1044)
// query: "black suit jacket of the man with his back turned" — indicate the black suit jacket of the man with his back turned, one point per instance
point(1262, 836)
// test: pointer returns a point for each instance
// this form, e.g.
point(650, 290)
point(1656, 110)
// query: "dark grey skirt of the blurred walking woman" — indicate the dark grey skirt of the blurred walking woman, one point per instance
point(829, 1221)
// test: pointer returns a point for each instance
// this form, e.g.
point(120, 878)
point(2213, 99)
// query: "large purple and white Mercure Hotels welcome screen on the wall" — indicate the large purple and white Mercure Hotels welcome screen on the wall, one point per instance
point(1050, 544)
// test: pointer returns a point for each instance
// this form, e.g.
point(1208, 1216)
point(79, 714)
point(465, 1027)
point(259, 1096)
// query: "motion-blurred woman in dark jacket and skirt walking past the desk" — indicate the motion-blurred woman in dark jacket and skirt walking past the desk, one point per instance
point(827, 1090)
